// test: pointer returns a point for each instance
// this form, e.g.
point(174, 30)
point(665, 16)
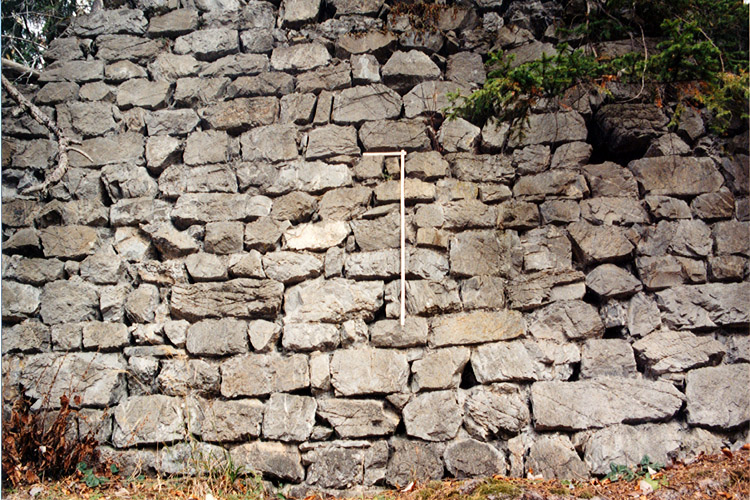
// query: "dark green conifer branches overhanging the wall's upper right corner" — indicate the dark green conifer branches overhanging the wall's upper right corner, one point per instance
point(701, 59)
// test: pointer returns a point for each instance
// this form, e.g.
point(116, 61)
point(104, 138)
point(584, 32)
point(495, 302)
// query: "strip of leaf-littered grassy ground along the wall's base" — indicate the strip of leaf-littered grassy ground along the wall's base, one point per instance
point(722, 476)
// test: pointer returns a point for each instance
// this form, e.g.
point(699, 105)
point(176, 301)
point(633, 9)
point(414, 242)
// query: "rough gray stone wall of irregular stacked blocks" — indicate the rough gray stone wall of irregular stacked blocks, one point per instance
point(220, 270)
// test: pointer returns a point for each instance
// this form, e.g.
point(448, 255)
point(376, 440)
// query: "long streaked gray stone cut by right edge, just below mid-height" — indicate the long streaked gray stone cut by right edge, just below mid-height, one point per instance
point(705, 306)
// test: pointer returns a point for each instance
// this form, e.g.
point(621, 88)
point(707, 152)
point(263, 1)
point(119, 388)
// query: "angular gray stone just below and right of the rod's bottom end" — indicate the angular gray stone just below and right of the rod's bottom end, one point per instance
point(439, 369)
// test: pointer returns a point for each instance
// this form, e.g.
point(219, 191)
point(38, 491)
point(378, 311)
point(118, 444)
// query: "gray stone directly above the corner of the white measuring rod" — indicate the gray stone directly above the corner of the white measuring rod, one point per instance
point(409, 135)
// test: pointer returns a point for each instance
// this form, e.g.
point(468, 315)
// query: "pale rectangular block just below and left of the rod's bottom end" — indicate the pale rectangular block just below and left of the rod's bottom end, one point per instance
point(368, 371)
